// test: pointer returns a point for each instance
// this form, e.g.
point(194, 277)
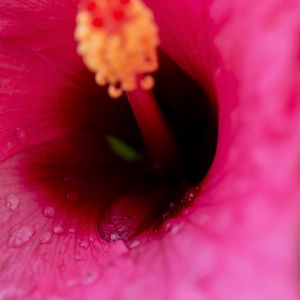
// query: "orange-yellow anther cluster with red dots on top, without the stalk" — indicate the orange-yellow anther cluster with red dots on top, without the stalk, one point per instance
point(118, 41)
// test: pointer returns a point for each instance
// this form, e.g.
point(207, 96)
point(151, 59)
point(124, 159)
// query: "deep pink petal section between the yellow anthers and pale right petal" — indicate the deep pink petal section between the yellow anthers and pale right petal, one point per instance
point(186, 31)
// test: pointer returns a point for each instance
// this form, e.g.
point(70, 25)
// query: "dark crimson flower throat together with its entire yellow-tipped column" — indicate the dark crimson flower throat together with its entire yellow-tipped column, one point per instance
point(125, 167)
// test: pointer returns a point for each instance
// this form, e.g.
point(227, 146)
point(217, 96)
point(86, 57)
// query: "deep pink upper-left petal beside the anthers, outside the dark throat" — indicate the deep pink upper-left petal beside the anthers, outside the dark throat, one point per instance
point(36, 74)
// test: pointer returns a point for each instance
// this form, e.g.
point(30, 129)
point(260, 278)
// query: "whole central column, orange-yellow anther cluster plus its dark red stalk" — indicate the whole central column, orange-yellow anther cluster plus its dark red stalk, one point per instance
point(118, 41)
